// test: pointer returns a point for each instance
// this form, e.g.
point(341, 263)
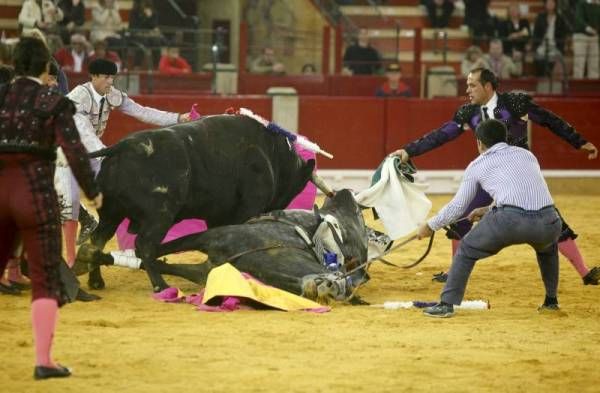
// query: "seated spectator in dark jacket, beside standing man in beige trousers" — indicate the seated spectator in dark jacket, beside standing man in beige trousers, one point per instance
point(550, 32)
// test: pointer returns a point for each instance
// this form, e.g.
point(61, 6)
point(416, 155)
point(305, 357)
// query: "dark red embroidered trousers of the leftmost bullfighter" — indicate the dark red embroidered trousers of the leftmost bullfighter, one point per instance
point(29, 206)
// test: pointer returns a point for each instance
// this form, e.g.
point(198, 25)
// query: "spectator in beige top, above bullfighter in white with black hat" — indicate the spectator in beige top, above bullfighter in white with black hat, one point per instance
point(106, 23)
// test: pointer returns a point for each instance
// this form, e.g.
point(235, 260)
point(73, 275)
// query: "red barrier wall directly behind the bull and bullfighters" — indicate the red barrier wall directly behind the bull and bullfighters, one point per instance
point(360, 131)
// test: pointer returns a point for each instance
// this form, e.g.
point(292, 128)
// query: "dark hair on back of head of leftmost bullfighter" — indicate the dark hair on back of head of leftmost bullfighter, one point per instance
point(31, 57)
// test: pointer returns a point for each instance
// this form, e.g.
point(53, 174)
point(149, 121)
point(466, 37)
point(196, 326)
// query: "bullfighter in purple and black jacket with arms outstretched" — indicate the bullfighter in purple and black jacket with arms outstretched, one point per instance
point(513, 109)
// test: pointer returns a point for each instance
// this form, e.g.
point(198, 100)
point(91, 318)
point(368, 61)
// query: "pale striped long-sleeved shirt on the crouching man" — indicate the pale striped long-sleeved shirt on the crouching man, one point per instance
point(510, 174)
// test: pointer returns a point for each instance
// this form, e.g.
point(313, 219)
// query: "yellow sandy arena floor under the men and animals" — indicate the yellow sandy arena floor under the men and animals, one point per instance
point(128, 342)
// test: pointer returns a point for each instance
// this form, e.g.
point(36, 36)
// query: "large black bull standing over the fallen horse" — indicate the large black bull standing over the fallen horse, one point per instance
point(223, 169)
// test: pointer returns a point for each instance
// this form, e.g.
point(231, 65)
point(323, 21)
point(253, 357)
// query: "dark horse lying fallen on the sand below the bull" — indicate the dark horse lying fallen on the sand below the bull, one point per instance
point(284, 249)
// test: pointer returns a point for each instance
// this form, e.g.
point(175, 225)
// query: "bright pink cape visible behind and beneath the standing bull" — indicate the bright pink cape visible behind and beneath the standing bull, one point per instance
point(304, 200)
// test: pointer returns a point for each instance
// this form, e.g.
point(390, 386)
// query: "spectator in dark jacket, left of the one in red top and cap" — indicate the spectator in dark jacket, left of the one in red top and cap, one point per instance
point(361, 58)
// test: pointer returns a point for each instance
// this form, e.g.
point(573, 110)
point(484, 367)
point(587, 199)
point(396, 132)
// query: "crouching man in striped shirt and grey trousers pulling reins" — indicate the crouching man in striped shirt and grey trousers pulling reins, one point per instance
point(522, 213)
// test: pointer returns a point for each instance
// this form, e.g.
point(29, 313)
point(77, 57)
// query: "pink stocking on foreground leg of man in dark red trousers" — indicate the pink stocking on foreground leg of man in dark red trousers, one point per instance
point(44, 312)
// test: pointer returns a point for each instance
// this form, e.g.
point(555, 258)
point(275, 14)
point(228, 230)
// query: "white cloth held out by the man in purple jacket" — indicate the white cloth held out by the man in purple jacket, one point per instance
point(401, 205)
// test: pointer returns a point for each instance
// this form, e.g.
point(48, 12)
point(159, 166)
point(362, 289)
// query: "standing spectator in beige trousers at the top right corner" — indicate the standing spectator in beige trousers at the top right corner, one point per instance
point(585, 39)
